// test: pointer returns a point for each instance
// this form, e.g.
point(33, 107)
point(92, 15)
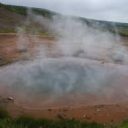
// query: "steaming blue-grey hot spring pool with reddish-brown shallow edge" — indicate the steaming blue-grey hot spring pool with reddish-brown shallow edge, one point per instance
point(64, 81)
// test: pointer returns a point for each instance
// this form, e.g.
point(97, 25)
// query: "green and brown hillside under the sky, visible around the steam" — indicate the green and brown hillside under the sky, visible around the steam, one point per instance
point(13, 16)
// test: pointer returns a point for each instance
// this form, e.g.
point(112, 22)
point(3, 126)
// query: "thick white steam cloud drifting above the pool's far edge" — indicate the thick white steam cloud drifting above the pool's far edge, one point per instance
point(77, 39)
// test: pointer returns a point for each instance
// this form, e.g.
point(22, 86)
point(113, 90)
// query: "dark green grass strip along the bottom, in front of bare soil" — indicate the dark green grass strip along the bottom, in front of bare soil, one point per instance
point(6, 121)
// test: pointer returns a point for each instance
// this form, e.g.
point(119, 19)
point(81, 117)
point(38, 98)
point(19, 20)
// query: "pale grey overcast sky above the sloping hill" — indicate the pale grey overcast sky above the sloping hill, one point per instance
point(111, 10)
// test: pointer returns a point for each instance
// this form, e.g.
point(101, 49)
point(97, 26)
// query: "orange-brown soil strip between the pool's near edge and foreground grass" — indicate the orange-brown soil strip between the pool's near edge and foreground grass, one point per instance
point(113, 113)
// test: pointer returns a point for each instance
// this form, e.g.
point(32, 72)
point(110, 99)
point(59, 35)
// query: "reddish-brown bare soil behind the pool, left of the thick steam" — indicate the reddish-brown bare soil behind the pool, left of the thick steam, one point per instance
point(9, 51)
